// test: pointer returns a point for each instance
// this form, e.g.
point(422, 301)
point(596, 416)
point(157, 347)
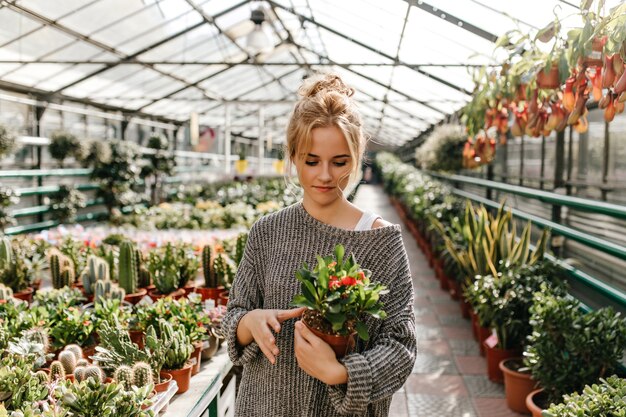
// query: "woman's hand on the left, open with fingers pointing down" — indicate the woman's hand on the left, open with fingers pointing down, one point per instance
point(258, 325)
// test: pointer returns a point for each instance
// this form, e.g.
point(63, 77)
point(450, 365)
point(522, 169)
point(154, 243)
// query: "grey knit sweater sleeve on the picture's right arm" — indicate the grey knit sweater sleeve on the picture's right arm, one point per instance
point(383, 368)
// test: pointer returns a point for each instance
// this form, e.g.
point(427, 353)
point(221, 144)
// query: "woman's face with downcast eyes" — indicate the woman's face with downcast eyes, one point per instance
point(325, 169)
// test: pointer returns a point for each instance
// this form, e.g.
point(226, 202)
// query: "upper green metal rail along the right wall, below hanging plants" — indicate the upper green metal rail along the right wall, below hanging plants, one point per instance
point(583, 204)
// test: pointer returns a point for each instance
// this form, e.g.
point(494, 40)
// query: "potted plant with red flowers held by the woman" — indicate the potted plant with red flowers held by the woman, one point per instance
point(337, 294)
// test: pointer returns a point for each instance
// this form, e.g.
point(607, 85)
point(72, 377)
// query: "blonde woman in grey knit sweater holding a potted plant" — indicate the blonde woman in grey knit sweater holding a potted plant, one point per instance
point(288, 371)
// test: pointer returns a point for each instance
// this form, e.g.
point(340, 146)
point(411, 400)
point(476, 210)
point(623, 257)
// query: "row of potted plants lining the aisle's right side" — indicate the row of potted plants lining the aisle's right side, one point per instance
point(522, 315)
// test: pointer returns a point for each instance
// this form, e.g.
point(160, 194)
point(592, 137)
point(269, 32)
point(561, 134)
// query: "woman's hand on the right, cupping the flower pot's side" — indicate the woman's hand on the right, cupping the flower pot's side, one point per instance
point(317, 358)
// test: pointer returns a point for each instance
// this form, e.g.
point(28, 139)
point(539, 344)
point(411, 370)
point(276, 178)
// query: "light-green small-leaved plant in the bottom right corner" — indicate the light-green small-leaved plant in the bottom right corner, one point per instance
point(606, 398)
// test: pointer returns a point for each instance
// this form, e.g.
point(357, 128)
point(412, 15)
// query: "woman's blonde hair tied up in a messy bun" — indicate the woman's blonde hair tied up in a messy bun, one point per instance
point(325, 100)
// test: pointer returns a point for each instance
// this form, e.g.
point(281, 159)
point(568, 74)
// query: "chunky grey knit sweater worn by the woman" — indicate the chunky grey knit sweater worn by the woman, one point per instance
point(277, 246)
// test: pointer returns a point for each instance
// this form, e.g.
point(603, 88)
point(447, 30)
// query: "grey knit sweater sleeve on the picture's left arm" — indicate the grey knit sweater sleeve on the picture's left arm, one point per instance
point(245, 295)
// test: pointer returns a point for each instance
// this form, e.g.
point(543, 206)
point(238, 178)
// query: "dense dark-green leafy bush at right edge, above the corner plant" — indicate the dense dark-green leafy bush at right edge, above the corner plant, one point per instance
point(568, 348)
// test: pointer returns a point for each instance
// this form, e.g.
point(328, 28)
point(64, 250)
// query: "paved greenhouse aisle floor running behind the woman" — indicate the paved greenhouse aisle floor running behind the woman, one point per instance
point(449, 378)
